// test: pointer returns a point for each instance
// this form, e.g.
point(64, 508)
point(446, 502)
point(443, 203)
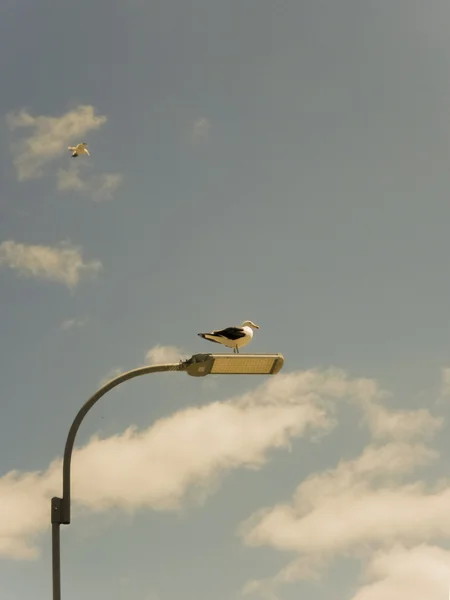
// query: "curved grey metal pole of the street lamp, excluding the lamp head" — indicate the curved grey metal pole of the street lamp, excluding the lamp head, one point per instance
point(60, 507)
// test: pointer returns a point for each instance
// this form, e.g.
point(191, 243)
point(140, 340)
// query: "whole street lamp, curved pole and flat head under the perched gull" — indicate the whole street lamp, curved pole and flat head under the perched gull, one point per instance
point(199, 365)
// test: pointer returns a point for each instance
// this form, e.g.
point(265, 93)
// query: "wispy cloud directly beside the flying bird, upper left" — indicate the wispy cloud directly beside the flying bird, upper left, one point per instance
point(49, 138)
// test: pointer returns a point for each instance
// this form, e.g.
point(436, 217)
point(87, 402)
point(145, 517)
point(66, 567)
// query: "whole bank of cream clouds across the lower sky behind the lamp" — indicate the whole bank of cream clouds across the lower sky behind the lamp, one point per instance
point(373, 507)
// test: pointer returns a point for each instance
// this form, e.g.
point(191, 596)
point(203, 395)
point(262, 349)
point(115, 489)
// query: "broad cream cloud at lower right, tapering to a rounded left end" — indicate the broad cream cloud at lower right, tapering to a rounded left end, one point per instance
point(375, 509)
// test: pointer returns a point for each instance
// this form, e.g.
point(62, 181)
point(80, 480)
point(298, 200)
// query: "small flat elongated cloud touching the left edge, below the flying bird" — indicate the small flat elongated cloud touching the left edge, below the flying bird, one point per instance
point(63, 264)
